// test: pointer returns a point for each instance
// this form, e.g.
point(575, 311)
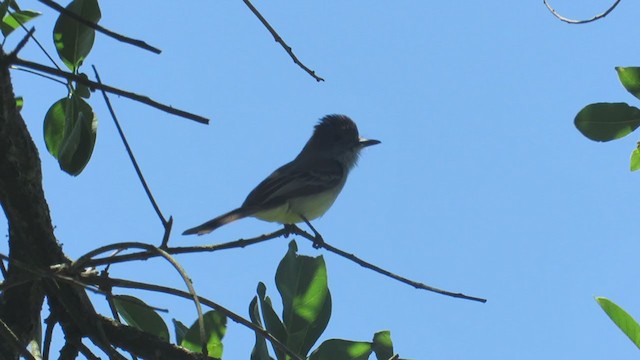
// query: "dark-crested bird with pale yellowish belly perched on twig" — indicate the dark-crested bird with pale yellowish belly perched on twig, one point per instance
point(305, 188)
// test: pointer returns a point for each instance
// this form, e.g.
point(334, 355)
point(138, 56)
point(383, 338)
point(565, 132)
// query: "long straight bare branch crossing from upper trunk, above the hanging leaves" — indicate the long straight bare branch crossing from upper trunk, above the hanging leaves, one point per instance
point(110, 89)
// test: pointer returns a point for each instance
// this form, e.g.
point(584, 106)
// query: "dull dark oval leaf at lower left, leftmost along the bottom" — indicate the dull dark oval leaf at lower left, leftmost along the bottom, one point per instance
point(141, 316)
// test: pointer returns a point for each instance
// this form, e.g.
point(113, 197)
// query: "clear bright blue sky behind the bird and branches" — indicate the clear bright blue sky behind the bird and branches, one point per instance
point(481, 184)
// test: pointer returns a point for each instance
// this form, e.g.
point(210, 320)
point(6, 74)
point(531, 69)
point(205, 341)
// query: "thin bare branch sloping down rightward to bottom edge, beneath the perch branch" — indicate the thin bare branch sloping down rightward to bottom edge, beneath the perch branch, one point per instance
point(114, 282)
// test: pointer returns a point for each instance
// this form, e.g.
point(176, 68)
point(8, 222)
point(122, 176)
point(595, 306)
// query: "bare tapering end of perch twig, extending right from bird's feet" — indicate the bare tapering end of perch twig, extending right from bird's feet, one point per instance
point(296, 230)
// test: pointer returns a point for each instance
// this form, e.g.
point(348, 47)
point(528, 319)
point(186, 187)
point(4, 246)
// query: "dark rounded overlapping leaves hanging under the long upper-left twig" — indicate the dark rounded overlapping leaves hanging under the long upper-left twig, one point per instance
point(70, 133)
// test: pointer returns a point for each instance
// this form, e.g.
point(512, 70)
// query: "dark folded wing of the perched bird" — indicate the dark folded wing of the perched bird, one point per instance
point(290, 181)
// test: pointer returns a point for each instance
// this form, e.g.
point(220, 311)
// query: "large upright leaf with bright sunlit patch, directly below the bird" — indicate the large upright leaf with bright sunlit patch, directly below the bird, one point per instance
point(306, 301)
